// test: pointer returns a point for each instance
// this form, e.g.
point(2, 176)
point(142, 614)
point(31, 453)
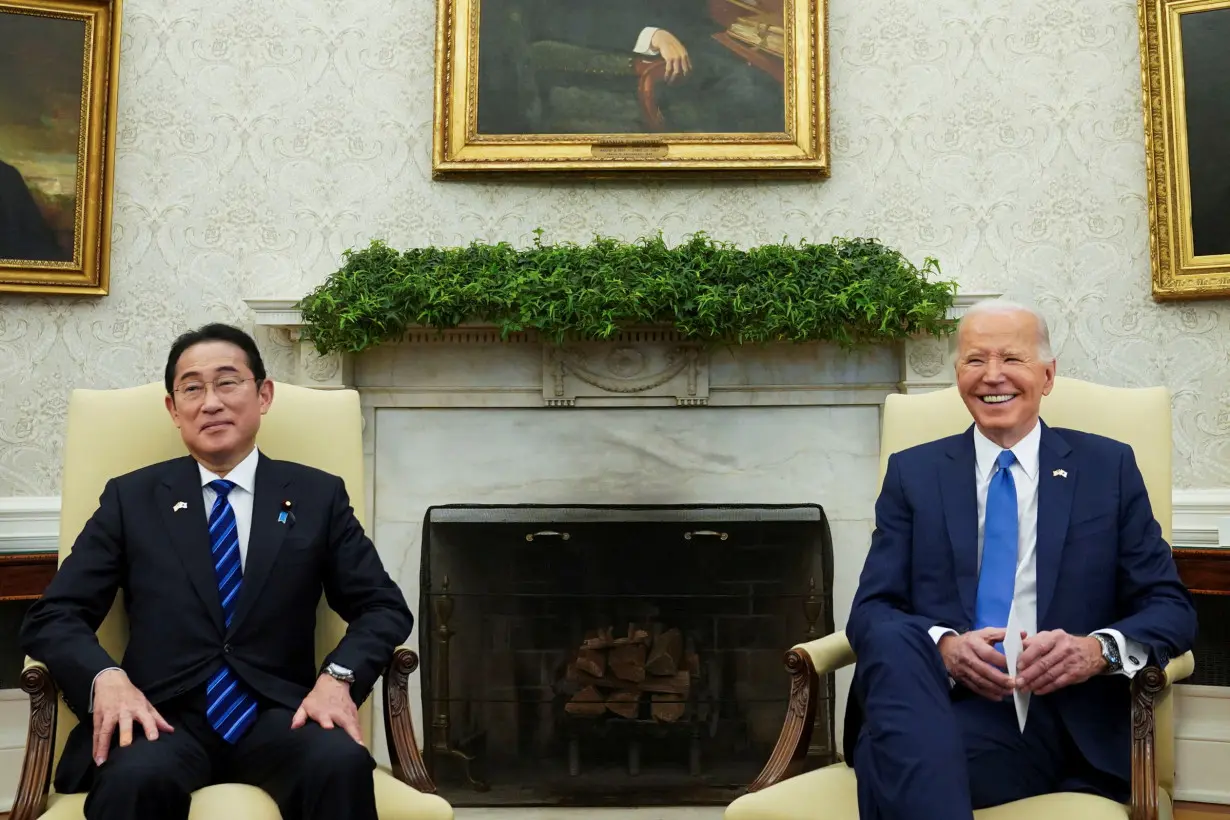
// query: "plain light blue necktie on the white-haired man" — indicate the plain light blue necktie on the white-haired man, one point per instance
point(997, 580)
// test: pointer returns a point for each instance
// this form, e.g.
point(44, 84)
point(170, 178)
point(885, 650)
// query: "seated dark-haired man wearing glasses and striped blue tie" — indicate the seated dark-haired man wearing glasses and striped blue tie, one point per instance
point(223, 556)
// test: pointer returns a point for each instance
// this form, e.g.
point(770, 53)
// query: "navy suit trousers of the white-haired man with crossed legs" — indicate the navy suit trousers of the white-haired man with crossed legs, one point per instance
point(932, 751)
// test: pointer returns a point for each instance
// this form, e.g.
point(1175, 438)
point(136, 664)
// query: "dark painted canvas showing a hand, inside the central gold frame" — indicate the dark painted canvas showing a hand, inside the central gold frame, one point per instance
point(628, 67)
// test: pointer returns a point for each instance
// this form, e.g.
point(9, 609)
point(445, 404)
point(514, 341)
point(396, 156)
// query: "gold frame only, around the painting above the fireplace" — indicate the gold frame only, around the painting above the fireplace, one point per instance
point(803, 151)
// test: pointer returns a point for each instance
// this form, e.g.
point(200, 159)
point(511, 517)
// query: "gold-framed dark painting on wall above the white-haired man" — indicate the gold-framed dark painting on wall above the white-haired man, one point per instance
point(1186, 61)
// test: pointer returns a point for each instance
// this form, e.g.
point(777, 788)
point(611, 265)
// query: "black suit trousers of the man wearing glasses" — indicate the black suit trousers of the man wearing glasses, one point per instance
point(312, 774)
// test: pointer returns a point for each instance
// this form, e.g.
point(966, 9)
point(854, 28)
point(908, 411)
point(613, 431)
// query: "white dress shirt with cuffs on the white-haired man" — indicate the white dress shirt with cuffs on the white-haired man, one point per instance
point(1024, 615)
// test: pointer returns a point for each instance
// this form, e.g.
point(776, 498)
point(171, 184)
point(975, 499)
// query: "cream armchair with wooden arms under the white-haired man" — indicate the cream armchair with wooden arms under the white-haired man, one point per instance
point(1138, 417)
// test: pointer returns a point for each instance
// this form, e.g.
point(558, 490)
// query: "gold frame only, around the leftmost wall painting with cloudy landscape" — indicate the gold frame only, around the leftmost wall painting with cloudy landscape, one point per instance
point(89, 274)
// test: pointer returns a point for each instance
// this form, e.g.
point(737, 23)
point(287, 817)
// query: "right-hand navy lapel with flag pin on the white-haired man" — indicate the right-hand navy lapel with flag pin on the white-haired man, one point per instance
point(1057, 486)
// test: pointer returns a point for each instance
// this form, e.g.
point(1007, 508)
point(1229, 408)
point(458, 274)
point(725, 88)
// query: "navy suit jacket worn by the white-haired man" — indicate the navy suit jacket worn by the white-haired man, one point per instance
point(1101, 562)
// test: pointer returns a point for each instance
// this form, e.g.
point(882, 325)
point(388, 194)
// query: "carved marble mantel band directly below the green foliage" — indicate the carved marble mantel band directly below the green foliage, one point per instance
point(653, 367)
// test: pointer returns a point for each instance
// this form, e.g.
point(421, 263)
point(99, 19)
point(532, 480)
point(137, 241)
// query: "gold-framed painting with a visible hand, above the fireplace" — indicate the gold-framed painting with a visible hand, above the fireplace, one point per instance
point(611, 88)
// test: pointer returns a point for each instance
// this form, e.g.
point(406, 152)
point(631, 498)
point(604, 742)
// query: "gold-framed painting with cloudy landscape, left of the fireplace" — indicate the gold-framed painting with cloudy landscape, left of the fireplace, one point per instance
point(60, 62)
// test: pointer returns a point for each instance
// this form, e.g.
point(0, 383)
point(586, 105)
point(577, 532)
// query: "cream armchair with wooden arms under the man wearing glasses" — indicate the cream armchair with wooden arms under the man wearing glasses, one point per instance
point(113, 432)
